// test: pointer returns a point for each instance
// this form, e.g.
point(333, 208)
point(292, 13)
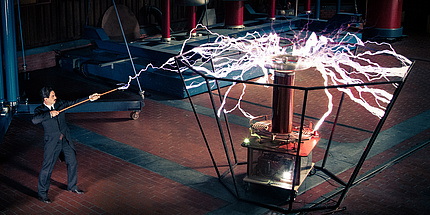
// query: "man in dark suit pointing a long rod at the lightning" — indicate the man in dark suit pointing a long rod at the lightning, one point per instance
point(57, 139)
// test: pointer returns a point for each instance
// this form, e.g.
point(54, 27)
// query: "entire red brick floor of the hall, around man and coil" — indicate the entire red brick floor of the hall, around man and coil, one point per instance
point(115, 184)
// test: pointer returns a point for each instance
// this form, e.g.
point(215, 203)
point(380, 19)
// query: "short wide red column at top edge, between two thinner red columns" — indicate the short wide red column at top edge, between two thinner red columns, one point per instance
point(234, 14)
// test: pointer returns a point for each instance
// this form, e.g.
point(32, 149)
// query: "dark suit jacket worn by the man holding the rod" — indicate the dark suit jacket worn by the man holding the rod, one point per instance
point(55, 126)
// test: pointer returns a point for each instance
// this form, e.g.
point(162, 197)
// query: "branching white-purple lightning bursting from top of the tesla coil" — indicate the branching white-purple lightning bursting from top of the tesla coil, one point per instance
point(327, 56)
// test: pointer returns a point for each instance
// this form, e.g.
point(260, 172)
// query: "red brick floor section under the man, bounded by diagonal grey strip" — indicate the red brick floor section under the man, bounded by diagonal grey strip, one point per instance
point(112, 186)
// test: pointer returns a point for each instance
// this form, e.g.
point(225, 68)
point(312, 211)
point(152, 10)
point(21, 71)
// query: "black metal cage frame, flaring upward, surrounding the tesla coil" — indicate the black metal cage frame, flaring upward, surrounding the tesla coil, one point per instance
point(233, 164)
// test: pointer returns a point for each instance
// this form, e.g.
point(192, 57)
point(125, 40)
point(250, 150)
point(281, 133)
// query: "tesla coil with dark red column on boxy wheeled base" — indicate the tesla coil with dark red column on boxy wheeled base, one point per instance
point(279, 152)
